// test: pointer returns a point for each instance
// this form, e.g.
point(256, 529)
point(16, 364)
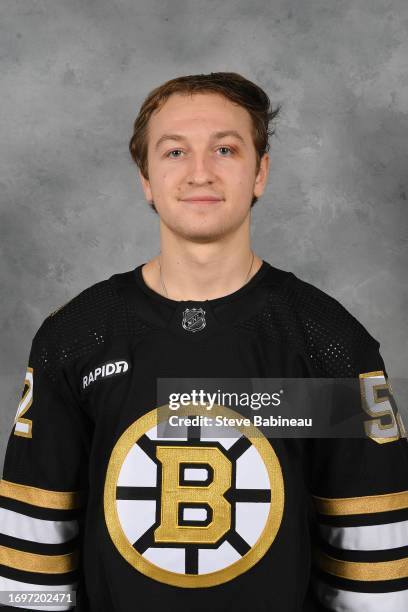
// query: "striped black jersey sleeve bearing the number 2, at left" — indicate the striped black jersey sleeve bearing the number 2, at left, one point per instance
point(43, 491)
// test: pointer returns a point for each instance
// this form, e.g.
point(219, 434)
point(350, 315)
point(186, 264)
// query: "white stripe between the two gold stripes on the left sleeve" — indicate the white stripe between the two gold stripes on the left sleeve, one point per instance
point(36, 530)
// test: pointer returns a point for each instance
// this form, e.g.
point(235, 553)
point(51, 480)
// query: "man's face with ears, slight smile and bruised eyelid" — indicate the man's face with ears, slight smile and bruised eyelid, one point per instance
point(196, 161)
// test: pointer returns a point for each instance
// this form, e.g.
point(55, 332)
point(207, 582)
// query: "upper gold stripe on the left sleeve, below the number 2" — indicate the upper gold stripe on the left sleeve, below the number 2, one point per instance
point(57, 500)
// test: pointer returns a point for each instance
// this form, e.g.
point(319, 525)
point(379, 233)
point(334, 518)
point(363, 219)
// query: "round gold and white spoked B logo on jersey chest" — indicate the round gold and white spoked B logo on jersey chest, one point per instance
point(193, 511)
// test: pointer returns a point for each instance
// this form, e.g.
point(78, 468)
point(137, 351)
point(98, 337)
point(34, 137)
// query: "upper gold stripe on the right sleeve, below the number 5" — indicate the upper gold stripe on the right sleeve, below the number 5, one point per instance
point(361, 505)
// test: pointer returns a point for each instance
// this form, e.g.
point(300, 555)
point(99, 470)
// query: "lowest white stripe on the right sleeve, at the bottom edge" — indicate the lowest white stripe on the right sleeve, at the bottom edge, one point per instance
point(340, 600)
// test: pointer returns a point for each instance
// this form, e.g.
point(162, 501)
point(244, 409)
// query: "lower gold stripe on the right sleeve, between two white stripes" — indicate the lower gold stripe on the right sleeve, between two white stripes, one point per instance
point(368, 571)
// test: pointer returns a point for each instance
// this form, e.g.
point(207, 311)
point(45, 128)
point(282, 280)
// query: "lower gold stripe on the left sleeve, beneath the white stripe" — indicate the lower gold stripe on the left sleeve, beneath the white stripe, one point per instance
point(44, 564)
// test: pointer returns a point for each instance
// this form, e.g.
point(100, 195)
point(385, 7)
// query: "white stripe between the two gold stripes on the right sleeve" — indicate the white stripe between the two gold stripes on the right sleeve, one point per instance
point(367, 537)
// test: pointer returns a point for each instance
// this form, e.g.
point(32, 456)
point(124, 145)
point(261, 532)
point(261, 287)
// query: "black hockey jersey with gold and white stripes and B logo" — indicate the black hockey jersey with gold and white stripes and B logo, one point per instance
point(94, 500)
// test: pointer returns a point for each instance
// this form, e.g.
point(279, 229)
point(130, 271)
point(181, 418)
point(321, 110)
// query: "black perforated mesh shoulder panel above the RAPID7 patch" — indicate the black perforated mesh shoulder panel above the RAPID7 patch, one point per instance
point(83, 324)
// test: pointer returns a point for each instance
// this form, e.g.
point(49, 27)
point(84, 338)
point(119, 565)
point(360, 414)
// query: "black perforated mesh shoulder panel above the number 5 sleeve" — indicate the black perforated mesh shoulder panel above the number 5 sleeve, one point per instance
point(309, 320)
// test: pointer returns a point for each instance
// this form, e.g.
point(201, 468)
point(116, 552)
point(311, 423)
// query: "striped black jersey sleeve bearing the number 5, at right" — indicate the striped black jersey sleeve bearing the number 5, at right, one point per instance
point(359, 492)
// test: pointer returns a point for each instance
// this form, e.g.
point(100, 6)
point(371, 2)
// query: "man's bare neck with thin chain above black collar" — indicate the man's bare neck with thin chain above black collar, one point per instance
point(201, 274)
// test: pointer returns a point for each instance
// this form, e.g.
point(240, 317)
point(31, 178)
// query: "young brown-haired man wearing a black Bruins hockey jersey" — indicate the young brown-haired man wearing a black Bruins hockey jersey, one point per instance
point(95, 498)
